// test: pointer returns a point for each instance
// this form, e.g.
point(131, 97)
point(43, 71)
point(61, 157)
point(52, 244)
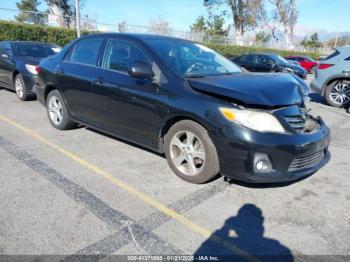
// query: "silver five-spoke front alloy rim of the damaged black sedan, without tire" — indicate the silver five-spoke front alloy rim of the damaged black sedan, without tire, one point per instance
point(187, 153)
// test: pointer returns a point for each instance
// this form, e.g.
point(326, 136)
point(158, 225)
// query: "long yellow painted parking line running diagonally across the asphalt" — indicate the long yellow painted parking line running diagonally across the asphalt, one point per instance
point(145, 198)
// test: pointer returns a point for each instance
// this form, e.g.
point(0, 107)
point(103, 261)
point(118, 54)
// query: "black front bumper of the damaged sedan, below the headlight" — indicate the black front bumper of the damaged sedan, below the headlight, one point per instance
point(237, 145)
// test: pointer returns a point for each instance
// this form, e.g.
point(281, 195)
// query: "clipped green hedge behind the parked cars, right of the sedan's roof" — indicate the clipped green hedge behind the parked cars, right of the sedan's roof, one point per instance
point(232, 50)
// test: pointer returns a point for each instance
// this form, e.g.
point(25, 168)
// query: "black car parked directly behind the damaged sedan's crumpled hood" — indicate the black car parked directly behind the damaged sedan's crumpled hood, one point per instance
point(268, 62)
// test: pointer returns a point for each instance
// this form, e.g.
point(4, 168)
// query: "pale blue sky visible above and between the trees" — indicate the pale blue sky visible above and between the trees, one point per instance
point(314, 15)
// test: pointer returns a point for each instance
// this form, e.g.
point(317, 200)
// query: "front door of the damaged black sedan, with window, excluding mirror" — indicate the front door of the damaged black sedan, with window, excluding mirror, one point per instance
point(127, 106)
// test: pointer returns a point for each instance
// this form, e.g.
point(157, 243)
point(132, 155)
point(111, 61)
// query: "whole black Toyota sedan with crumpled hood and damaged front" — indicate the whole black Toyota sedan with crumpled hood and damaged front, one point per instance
point(182, 99)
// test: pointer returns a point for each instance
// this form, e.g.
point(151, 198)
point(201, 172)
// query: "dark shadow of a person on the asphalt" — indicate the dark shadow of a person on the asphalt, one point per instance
point(244, 232)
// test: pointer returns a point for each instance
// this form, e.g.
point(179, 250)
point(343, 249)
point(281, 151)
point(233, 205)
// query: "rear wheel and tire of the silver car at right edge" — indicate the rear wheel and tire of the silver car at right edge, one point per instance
point(338, 93)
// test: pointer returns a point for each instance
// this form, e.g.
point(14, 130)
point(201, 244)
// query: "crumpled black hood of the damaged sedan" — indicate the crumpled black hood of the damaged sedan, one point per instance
point(268, 90)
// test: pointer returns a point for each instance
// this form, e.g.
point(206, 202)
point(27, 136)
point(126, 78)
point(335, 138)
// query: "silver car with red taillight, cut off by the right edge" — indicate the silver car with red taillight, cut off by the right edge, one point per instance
point(332, 77)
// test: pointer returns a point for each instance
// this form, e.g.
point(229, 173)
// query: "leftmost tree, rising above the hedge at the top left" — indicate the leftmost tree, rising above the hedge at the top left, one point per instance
point(29, 12)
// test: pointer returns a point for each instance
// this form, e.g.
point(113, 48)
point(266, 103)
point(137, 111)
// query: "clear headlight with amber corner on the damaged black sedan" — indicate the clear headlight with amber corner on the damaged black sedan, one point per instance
point(259, 121)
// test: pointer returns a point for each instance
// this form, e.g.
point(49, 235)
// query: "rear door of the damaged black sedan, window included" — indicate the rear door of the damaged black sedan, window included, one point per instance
point(75, 75)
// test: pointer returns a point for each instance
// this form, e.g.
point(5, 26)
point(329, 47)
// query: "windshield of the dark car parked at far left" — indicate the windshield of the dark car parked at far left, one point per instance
point(34, 50)
